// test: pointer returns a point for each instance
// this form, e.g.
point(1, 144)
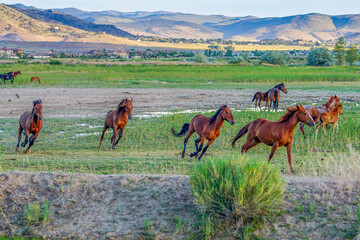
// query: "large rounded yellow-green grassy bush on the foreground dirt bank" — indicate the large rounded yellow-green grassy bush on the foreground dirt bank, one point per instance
point(237, 190)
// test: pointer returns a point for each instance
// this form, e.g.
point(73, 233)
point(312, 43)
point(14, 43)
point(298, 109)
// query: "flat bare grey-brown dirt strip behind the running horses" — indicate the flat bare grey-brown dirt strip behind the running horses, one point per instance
point(95, 102)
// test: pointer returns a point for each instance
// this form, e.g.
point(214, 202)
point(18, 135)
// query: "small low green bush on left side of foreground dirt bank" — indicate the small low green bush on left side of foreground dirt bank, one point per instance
point(36, 214)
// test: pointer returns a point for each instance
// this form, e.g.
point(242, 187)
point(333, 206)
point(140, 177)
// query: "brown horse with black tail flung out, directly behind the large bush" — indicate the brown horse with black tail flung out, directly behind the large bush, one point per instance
point(206, 127)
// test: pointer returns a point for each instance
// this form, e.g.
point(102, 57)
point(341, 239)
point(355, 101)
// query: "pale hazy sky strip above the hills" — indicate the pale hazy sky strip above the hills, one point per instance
point(260, 8)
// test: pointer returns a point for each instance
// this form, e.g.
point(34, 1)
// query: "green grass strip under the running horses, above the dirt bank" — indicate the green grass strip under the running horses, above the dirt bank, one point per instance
point(149, 147)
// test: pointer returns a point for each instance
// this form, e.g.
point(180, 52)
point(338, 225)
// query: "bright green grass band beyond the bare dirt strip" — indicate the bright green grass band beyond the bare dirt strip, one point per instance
point(184, 76)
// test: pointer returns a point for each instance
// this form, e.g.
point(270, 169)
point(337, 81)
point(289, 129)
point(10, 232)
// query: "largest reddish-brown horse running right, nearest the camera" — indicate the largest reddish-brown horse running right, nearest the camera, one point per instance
point(275, 134)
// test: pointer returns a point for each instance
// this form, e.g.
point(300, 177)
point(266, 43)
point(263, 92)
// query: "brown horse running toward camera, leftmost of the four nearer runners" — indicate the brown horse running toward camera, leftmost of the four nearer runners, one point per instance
point(30, 123)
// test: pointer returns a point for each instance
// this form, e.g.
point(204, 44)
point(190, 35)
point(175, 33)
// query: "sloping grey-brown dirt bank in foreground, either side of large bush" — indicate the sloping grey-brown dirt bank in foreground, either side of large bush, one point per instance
point(144, 206)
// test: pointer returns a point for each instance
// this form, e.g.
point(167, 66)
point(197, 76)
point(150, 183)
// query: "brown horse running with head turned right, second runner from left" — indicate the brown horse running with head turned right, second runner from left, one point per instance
point(117, 120)
